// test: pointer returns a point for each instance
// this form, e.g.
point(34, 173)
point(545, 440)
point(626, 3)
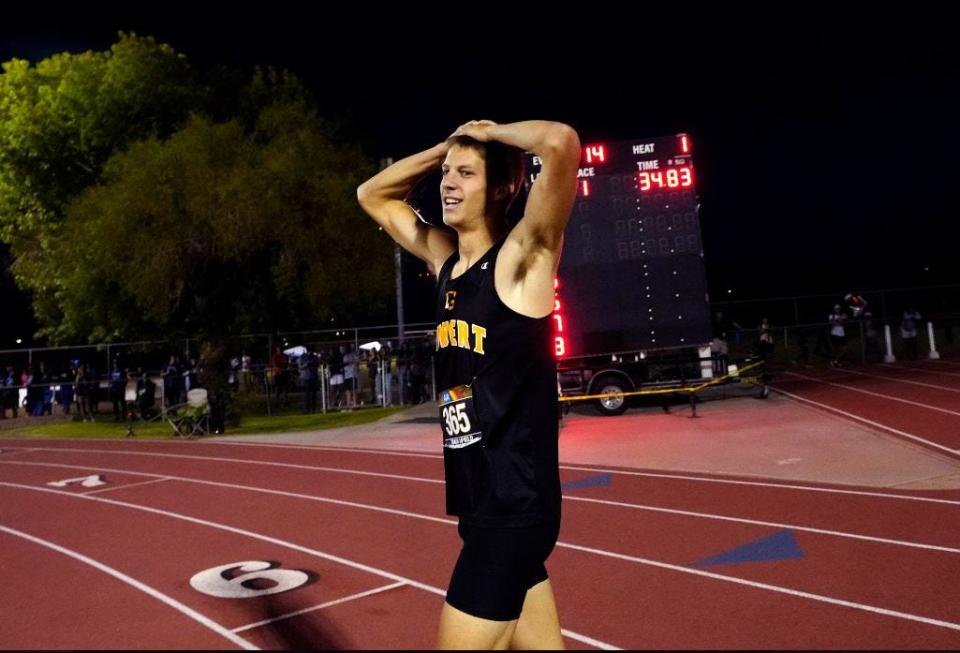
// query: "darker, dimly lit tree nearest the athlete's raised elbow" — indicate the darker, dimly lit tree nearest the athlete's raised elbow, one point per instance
point(218, 231)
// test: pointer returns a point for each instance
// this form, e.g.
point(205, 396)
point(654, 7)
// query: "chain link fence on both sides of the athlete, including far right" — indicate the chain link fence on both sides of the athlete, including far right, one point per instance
point(349, 369)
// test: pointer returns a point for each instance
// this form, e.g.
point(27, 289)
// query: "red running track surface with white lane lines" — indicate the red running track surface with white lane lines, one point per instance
point(879, 567)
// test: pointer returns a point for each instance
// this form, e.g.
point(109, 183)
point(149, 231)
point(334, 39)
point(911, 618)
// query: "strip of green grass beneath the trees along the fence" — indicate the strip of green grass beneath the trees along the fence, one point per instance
point(250, 424)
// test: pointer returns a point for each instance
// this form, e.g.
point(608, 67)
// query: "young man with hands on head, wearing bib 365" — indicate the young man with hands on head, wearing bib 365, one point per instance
point(495, 365)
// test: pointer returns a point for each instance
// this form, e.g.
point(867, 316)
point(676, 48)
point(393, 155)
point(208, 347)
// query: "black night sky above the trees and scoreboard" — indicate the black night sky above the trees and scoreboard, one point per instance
point(825, 150)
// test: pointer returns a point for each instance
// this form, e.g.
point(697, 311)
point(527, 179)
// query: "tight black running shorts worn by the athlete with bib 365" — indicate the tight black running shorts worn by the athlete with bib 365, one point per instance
point(497, 566)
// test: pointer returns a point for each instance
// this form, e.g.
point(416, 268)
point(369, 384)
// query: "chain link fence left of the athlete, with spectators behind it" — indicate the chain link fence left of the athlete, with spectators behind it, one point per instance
point(311, 371)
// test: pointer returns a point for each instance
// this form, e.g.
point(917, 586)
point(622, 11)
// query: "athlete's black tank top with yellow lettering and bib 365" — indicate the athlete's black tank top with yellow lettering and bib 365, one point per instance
point(500, 456)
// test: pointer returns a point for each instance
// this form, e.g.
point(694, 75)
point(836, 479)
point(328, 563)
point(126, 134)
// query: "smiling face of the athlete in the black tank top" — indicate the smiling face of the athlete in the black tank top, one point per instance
point(463, 188)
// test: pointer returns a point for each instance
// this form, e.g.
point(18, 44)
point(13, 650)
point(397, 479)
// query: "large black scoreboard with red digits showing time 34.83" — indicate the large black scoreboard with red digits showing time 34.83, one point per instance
point(632, 275)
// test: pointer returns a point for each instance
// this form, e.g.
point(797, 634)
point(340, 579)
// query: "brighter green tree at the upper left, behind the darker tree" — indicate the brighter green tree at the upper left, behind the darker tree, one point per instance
point(63, 118)
